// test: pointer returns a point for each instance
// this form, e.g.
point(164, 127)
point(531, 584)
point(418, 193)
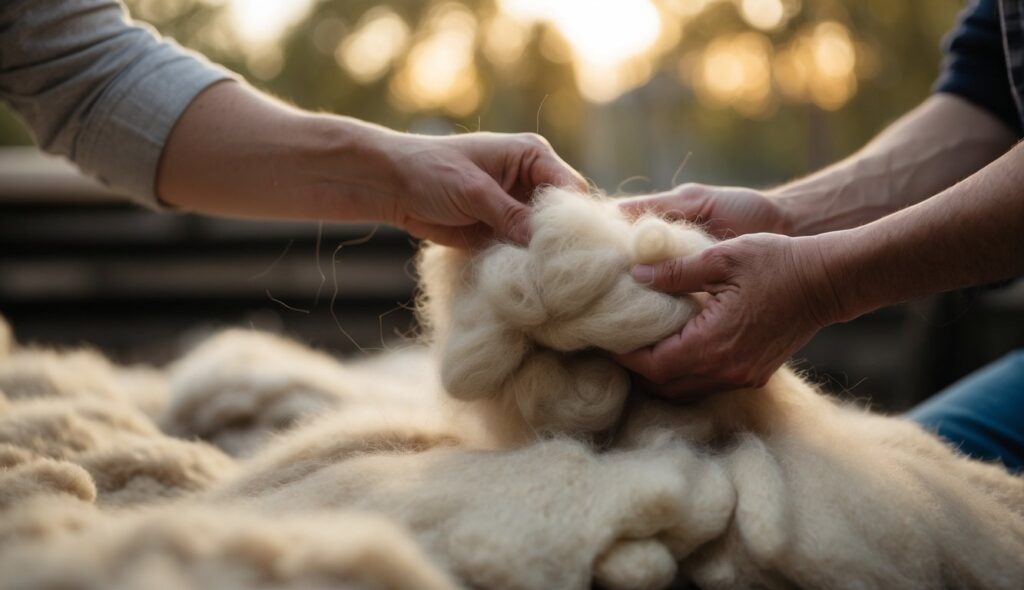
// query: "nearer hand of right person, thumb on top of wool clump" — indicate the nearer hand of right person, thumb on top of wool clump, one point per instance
point(769, 294)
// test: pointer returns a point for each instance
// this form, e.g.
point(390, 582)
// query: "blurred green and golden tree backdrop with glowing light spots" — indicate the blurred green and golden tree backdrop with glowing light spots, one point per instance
point(759, 91)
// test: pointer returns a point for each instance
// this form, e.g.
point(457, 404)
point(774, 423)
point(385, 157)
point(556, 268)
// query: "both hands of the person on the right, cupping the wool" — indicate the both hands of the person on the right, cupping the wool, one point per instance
point(767, 294)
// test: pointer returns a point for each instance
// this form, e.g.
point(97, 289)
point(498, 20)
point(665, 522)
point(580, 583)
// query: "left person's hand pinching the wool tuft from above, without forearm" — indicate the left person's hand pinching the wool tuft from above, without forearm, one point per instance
point(465, 190)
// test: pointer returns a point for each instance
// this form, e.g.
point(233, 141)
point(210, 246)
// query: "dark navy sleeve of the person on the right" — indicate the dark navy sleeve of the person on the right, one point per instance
point(975, 64)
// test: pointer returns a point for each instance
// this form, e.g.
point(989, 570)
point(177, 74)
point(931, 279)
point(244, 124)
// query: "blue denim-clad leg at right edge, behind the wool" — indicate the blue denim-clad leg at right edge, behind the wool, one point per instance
point(983, 414)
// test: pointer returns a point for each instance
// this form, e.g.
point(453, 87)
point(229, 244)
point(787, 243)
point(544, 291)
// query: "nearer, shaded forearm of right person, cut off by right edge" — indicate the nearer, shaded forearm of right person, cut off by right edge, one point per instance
point(969, 235)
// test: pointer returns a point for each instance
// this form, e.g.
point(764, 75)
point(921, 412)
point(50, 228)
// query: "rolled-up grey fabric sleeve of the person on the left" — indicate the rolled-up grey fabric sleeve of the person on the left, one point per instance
point(98, 89)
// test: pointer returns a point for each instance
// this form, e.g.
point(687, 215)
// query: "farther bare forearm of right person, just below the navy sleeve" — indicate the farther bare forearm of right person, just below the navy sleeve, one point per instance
point(942, 142)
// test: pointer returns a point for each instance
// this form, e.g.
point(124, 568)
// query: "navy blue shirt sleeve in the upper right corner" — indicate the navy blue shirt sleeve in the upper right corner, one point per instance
point(985, 60)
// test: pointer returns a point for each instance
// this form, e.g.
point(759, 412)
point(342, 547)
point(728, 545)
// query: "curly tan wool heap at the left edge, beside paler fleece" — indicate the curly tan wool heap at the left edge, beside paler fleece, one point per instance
point(76, 409)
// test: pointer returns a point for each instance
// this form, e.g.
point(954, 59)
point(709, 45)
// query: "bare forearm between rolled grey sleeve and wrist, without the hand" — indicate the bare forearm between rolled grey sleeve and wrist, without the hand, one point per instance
point(238, 153)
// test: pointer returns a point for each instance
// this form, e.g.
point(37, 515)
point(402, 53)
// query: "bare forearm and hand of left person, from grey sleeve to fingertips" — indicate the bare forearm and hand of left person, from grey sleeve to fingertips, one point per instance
point(237, 153)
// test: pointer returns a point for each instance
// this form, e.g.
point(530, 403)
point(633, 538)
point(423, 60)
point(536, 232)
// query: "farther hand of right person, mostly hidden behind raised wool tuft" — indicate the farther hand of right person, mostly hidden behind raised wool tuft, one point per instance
point(726, 212)
